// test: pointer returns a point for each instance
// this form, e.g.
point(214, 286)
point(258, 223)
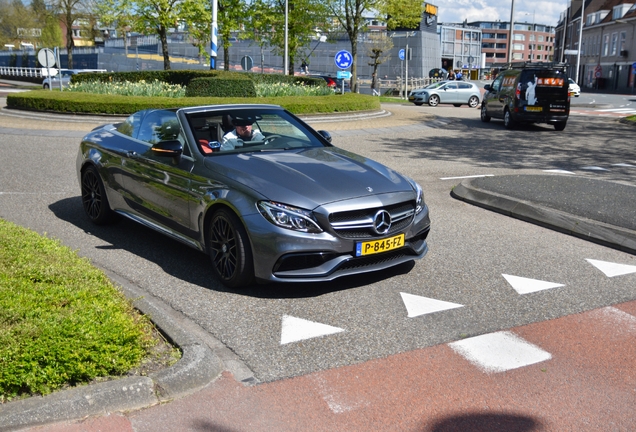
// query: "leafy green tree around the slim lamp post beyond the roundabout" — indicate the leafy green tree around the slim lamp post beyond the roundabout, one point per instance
point(302, 18)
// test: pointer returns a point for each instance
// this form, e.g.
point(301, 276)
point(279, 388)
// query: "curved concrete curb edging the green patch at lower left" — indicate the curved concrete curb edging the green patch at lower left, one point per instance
point(197, 367)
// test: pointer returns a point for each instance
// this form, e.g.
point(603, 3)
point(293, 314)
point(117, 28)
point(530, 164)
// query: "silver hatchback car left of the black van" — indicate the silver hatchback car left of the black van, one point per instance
point(457, 93)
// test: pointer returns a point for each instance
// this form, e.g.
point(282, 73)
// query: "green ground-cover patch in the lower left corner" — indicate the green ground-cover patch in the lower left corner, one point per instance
point(62, 322)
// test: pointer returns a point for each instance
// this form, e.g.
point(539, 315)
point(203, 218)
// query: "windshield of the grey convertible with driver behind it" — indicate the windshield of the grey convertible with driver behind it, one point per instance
point(250, 130)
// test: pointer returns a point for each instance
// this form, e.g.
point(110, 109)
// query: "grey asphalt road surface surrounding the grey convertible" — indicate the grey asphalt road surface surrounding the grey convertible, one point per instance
point(470, 248)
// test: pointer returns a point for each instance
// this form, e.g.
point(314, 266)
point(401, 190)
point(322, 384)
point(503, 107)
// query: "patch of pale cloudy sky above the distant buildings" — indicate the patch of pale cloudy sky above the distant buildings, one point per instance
point(543, 11)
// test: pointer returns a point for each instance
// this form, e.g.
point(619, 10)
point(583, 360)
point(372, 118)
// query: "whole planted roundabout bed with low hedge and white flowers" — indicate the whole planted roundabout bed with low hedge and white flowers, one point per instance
point(126, 93)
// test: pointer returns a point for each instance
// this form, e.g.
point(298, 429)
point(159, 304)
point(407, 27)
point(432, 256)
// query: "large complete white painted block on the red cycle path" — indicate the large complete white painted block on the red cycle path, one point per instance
point(499, 352)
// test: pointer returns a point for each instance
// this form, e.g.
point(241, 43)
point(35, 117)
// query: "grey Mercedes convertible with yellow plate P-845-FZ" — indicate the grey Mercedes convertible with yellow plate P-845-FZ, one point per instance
point(280, 203)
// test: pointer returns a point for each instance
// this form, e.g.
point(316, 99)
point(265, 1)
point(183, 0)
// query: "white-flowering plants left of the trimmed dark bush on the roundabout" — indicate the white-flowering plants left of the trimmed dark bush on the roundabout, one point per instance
point(141, 88)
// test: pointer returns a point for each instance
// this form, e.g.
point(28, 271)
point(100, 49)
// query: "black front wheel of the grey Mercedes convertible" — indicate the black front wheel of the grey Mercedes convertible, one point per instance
point(230, 250)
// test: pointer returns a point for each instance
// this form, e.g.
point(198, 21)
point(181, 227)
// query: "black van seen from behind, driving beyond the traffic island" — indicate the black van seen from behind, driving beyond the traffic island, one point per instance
point(527, 92)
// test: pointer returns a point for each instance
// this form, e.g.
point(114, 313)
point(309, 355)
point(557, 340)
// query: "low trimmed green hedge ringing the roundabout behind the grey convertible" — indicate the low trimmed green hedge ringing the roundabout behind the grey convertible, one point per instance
point(87, 103)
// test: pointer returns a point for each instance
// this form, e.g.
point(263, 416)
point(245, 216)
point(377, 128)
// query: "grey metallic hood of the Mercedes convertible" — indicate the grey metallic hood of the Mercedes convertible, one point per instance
point(309, 178)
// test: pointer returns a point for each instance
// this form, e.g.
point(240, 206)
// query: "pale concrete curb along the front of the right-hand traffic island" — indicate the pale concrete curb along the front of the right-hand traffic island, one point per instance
point(598, 232)
